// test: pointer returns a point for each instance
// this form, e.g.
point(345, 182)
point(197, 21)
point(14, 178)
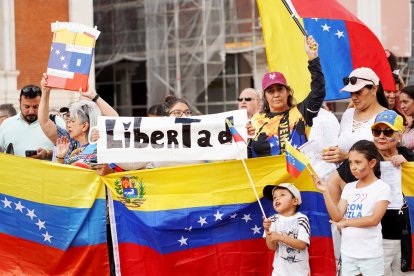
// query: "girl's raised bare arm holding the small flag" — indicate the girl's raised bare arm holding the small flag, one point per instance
point(336, 210)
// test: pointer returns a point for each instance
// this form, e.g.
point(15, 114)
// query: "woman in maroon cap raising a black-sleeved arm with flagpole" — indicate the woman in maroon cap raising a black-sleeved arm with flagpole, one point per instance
point(280, 119)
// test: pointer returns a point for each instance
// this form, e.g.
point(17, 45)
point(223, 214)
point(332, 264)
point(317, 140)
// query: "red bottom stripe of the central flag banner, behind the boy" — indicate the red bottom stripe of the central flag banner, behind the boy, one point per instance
point(249, 257)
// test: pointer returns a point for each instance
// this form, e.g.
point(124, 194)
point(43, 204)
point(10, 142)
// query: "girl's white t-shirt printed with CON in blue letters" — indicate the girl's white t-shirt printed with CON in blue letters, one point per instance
point(357, 242)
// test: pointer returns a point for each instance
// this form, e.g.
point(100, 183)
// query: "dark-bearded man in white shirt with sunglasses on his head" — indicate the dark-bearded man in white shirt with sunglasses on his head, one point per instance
point(23, 130)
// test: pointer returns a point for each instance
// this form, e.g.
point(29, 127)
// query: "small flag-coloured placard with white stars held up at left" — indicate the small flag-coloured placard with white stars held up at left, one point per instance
point(71, 55)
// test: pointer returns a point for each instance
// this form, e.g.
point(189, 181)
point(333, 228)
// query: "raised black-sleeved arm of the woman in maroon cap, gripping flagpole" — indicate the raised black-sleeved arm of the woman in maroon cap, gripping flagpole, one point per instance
point(313, 102)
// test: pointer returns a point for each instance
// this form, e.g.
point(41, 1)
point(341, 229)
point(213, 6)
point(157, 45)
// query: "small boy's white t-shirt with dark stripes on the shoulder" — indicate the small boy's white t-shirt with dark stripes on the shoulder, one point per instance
point(288, 260)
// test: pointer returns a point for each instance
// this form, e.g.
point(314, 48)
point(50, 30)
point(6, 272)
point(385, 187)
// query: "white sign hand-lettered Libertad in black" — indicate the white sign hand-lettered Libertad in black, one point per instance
point(145, 139)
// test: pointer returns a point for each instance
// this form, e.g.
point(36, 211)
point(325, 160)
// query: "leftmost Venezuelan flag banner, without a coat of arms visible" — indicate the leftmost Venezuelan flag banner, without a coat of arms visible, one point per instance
point(52, 219)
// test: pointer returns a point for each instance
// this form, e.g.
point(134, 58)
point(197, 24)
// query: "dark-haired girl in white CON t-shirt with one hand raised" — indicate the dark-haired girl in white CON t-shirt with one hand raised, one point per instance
point(359, 212)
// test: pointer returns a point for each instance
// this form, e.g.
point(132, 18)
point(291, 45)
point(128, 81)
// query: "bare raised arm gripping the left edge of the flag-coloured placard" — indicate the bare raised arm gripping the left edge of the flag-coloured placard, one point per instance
point(47, 125)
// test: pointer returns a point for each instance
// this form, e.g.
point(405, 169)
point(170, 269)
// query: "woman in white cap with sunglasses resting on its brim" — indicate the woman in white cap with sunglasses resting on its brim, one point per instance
point(368, 99)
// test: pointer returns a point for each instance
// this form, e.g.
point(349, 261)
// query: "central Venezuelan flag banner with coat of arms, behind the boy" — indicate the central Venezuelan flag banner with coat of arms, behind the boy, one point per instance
point(205, 220)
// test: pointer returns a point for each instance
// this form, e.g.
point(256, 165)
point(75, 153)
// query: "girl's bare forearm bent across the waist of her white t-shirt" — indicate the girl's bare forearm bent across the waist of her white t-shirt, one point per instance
point(368, 221)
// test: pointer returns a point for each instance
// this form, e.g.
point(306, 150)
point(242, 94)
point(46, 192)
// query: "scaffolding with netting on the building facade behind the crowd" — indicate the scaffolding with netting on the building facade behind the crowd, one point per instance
point(184, 45)
